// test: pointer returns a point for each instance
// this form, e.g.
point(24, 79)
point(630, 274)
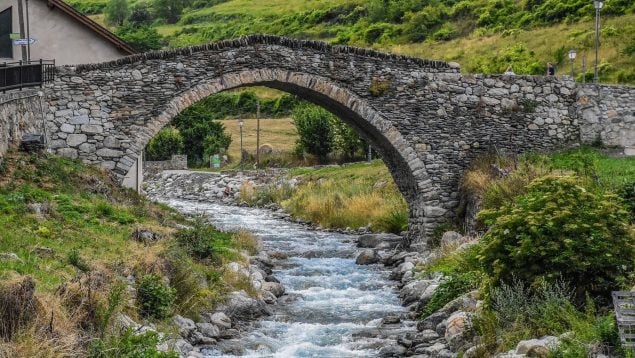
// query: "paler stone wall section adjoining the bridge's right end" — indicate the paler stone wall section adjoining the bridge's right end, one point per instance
point(607, 116)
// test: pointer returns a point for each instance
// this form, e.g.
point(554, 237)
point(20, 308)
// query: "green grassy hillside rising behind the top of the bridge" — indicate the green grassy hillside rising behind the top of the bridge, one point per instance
point(483, 36)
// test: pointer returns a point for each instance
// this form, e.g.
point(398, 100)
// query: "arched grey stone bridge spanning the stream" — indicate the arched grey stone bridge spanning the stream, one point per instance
point(425, 118)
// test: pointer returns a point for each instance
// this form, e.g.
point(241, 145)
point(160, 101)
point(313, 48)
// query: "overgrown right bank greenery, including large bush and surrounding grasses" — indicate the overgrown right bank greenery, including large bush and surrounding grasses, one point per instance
point(558, 239)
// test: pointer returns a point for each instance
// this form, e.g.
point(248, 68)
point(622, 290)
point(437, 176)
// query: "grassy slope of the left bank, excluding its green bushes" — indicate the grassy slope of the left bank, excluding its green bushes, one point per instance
point(88, 213)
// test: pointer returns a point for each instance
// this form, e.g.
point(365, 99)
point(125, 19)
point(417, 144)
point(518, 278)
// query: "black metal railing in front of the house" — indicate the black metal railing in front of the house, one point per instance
point(22, 74)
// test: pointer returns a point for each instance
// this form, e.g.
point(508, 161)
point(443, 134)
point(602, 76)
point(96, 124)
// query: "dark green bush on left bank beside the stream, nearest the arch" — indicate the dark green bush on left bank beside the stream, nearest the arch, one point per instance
point(203, 241)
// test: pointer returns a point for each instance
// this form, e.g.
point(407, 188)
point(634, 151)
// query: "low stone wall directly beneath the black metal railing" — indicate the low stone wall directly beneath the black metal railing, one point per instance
point(20, 113)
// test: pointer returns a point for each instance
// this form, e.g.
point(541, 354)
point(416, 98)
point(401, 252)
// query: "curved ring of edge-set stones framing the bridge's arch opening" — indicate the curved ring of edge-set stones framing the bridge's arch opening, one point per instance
point(406, 168)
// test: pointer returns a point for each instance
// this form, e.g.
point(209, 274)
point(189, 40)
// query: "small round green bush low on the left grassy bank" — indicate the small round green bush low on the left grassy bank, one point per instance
point(155, 298)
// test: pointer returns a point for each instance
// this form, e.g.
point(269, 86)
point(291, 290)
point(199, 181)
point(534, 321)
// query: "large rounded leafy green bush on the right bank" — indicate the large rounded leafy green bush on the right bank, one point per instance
point(560, 231)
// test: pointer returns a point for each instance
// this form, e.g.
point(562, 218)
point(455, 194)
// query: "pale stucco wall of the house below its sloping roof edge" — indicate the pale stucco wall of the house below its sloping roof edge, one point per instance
point(60, 37)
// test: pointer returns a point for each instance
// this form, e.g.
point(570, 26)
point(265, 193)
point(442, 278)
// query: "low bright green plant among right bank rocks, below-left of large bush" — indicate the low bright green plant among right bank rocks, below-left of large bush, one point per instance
point(451, 288)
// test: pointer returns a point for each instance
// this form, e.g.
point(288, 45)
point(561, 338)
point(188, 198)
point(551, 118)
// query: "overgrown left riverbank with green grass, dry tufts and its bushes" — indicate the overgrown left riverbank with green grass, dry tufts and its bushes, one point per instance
point(68, 247)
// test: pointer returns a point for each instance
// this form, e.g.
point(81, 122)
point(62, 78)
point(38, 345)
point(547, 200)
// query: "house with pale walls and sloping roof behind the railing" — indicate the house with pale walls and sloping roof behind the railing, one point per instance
point(61, 33)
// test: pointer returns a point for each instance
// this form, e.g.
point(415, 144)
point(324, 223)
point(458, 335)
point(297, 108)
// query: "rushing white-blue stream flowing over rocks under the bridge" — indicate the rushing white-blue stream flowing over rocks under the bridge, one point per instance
point(339, 304)
